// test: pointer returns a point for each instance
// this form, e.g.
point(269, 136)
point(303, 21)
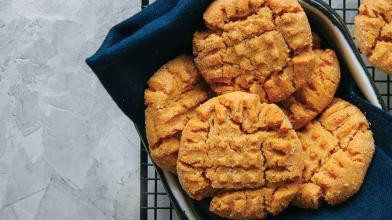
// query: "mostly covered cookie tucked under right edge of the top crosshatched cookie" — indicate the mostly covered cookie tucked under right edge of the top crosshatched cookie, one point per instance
point(309, 101)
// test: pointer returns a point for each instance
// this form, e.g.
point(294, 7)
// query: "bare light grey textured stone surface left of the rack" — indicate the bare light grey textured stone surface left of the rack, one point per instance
point(66, 150)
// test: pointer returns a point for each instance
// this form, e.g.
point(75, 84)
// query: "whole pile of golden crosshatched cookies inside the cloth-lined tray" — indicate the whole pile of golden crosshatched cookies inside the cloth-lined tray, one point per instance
point(251, 120)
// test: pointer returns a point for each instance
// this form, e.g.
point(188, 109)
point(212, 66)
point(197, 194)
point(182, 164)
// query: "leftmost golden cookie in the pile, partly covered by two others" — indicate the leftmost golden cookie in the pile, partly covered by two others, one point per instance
point(173, 93)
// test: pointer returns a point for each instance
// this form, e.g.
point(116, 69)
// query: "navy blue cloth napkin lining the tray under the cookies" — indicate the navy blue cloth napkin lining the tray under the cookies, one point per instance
point(137, 47)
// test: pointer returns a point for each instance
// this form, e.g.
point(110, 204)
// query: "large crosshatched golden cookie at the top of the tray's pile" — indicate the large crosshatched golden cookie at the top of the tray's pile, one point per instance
point(258, 46)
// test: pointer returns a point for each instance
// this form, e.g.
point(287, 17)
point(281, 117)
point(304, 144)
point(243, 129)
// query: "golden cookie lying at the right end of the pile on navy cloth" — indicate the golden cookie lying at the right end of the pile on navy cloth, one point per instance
point(338, 148)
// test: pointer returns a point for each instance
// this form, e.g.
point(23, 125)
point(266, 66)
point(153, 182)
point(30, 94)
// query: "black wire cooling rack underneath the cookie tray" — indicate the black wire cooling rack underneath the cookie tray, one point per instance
point(154, 202)
